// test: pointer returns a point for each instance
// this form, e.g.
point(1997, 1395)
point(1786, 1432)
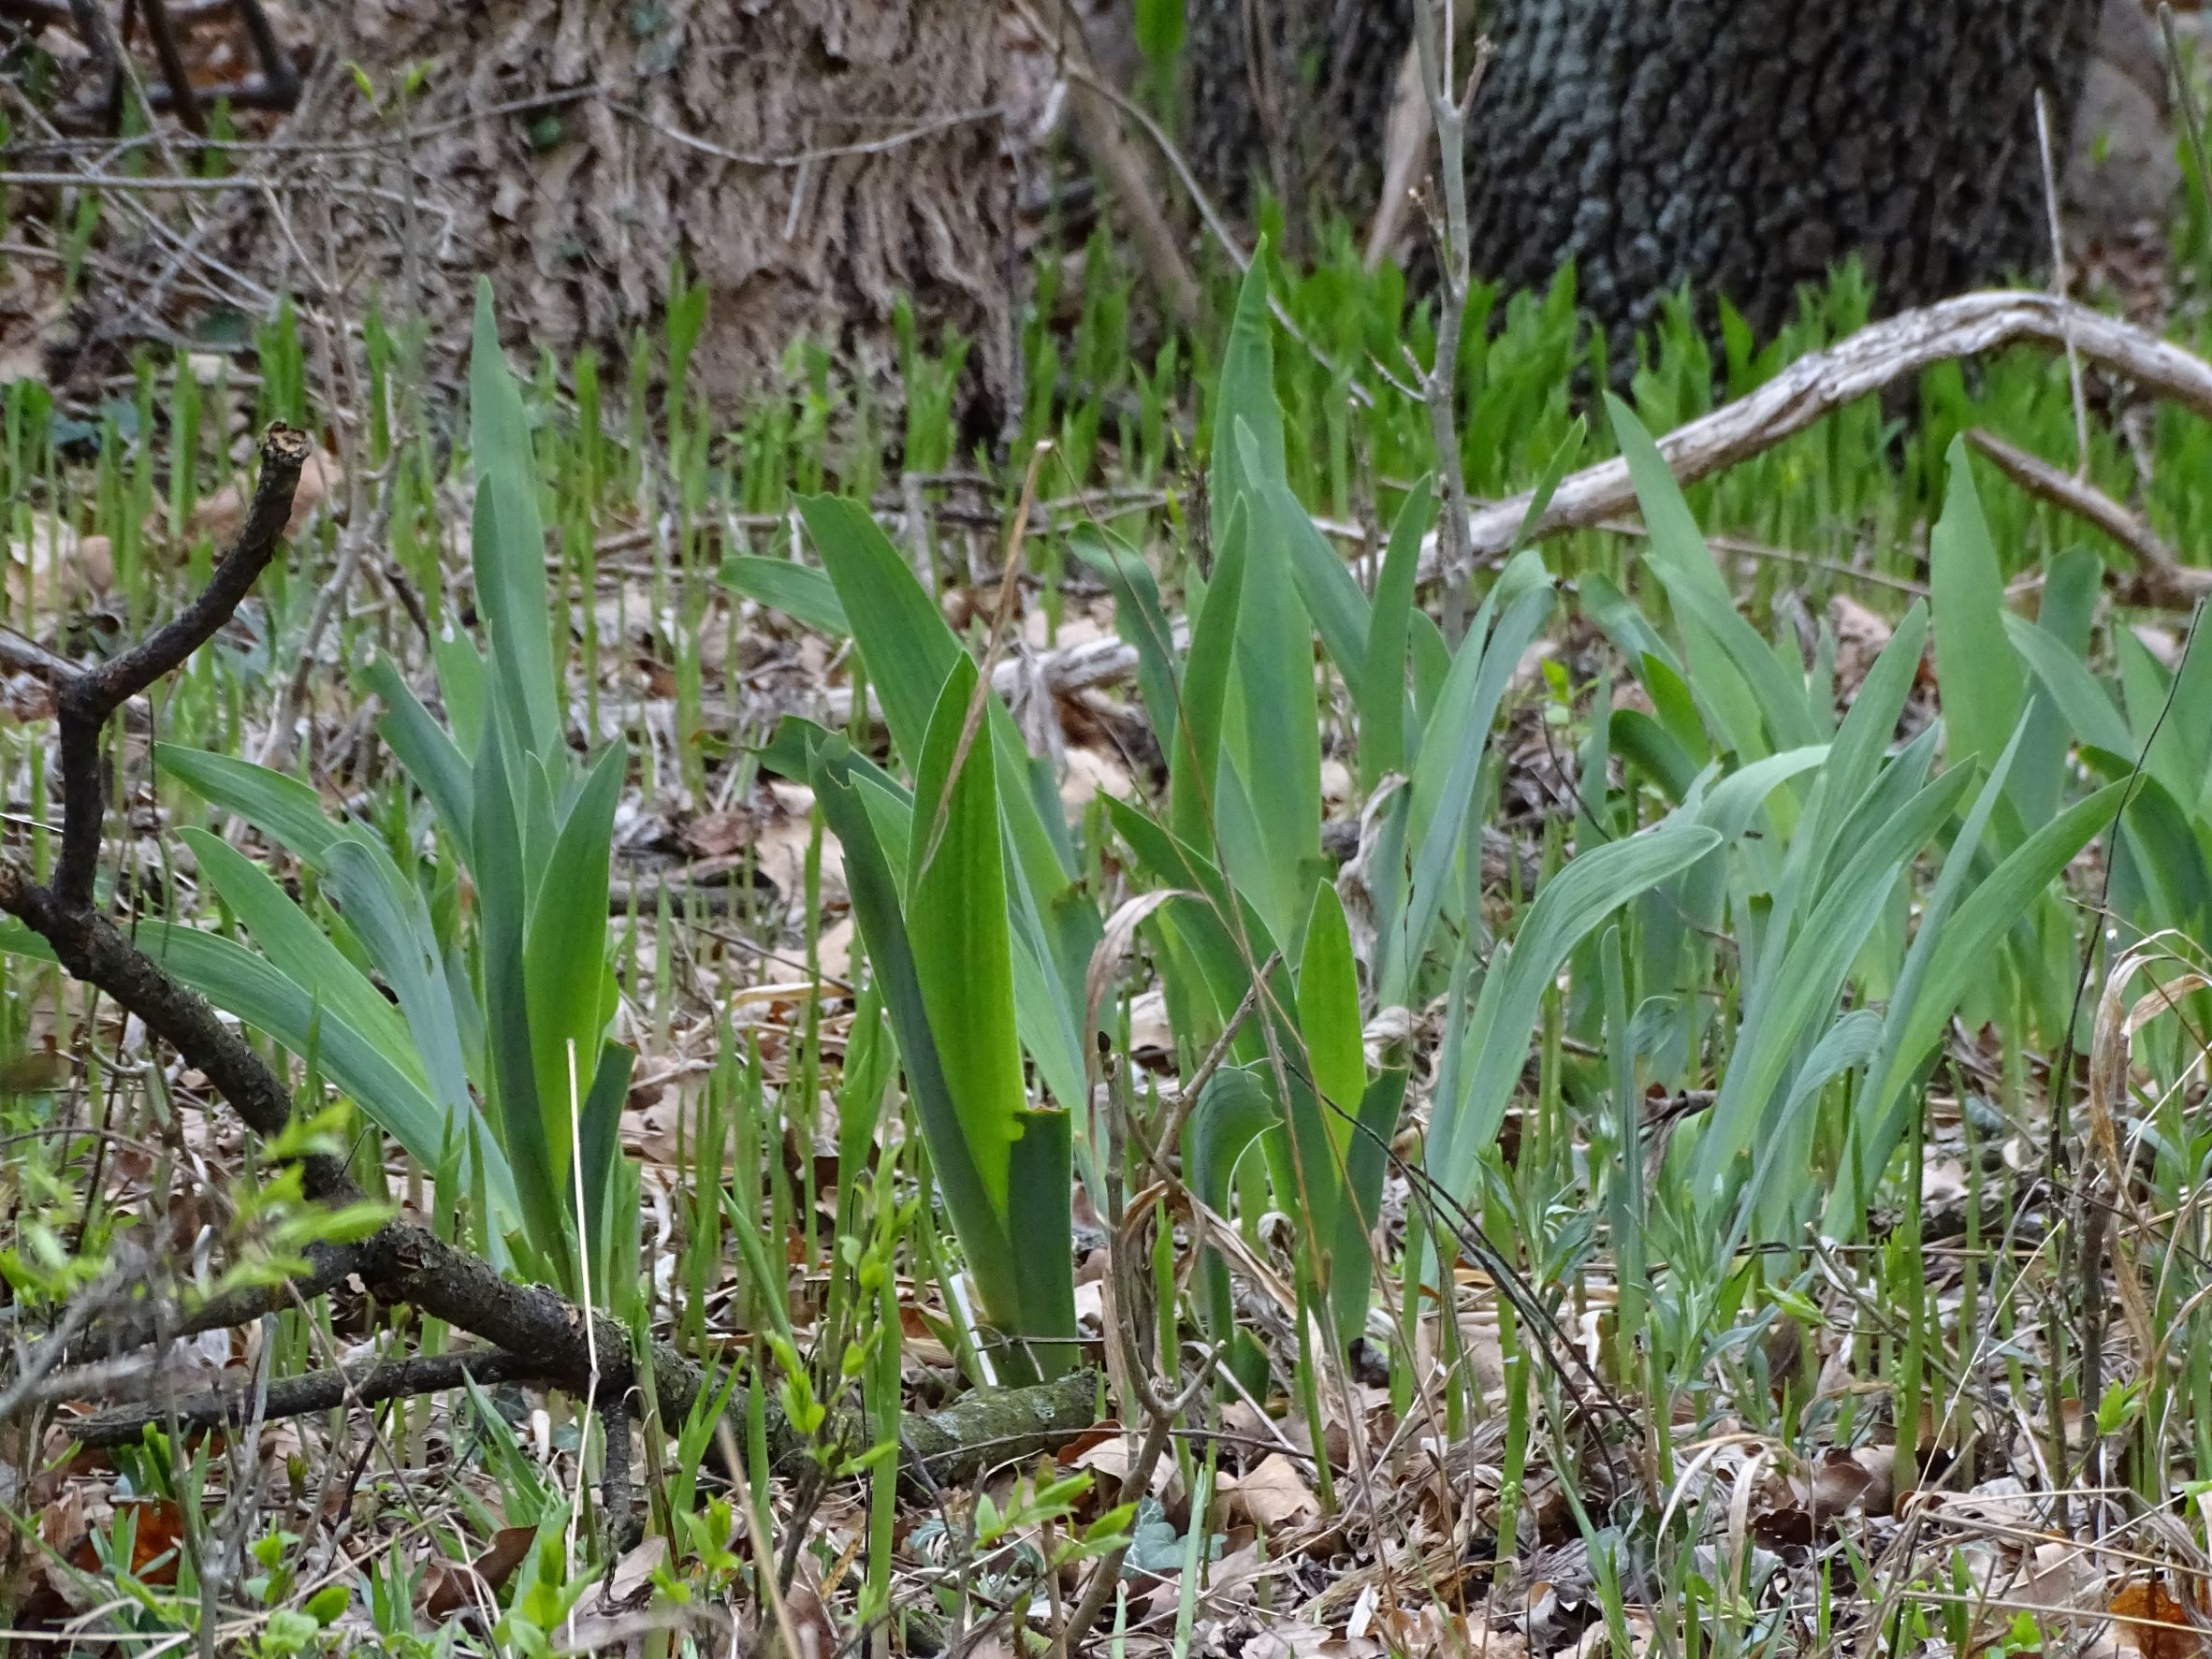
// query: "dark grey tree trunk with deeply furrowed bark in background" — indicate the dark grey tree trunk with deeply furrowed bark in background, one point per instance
point(1742, 147)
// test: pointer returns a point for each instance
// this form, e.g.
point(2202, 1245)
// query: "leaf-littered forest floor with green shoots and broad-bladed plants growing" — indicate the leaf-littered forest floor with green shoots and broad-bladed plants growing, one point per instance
point(1793, 1249)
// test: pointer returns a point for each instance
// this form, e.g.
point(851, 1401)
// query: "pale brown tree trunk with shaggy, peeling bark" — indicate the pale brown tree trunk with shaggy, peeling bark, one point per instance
point(808, 163)
